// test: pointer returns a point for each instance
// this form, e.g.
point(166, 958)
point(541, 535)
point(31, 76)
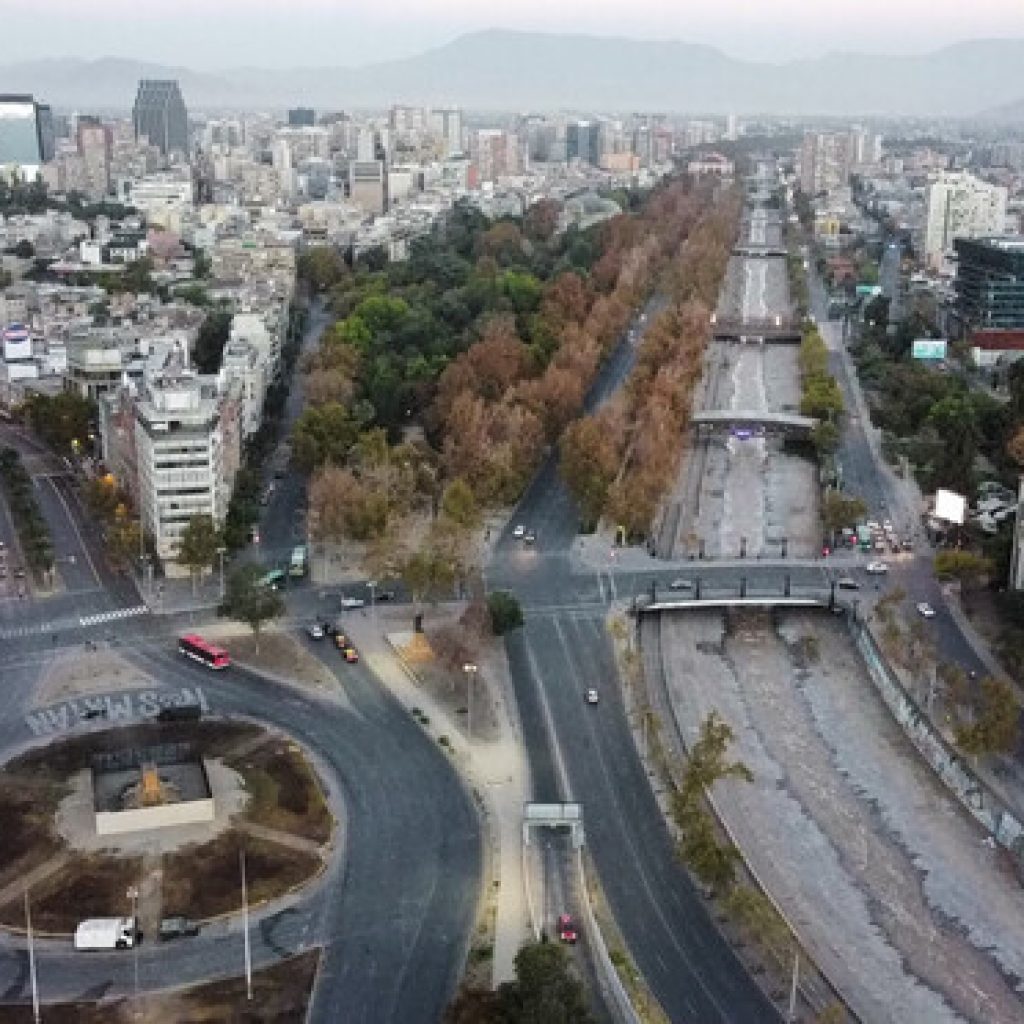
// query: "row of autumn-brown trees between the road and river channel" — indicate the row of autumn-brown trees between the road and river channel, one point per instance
point(622, 460)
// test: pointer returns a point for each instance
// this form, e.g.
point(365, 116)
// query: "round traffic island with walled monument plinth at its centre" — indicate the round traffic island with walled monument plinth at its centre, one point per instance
point(165, 808)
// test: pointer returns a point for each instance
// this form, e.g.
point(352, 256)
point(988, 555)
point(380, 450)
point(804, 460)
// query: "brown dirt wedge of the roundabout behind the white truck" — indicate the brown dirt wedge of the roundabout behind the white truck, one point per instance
point(88, 886)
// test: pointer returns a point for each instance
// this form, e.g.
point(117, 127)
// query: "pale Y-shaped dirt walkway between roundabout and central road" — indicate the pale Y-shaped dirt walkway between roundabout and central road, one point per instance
point(497, 772)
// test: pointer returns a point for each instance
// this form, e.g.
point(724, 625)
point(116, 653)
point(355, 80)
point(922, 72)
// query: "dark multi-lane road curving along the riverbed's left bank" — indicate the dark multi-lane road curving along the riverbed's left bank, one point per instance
point(561, 653)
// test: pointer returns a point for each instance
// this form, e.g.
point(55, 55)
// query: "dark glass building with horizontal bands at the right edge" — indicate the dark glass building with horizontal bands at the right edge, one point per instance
point(991, 283)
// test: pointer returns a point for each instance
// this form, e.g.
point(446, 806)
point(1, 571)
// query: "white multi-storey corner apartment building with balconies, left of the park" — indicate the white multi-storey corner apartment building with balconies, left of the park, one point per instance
point(188, 453)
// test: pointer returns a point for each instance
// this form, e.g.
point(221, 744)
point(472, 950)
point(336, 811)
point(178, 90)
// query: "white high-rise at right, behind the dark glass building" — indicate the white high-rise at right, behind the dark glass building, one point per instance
point(961, 206)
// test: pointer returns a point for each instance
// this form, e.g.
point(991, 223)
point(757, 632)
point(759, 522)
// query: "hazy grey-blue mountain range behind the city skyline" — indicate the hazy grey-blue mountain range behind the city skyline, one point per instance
point(519, 71)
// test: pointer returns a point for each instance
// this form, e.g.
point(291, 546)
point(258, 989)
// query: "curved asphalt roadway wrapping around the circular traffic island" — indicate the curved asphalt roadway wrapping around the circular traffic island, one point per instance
point(394, 917)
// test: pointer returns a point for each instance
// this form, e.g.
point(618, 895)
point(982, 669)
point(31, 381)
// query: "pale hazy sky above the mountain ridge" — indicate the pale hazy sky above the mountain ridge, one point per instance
point(211, 34)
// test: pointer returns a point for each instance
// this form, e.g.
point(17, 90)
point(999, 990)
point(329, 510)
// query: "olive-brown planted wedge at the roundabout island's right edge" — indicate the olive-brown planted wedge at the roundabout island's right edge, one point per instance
point(284, 791)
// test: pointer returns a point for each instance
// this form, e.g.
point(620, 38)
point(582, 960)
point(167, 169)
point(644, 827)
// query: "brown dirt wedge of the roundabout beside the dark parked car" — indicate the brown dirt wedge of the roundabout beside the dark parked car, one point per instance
point(272, 871)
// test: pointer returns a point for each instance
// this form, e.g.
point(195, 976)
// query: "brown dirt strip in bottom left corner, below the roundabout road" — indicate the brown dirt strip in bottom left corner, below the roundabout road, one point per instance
point(281, 996)
